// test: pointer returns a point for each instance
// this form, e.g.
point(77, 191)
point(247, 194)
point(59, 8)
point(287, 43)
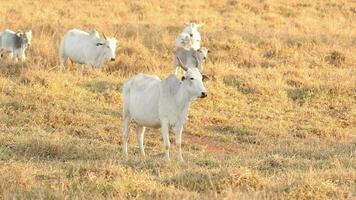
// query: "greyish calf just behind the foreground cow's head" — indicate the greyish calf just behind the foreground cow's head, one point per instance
point(190, 58)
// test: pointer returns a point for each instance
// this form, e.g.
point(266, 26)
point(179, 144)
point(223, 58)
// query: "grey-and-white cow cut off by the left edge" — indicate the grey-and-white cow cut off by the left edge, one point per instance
point(15, 43)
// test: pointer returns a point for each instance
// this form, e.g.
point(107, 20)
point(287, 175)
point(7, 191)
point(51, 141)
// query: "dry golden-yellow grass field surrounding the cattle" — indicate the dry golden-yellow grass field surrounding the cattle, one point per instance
point(279, 121)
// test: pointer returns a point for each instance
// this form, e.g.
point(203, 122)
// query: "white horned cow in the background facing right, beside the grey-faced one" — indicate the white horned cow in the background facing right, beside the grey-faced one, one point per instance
point(87, 48)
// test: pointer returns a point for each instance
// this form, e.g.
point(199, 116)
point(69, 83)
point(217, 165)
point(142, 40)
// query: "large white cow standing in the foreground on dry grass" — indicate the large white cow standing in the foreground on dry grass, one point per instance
point(155, 103)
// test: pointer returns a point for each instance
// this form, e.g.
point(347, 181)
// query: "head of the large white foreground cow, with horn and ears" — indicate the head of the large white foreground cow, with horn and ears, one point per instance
point(193, 81)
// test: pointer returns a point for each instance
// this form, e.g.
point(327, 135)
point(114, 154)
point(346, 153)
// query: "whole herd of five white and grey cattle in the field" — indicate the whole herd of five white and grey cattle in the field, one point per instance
point(147, 100)
